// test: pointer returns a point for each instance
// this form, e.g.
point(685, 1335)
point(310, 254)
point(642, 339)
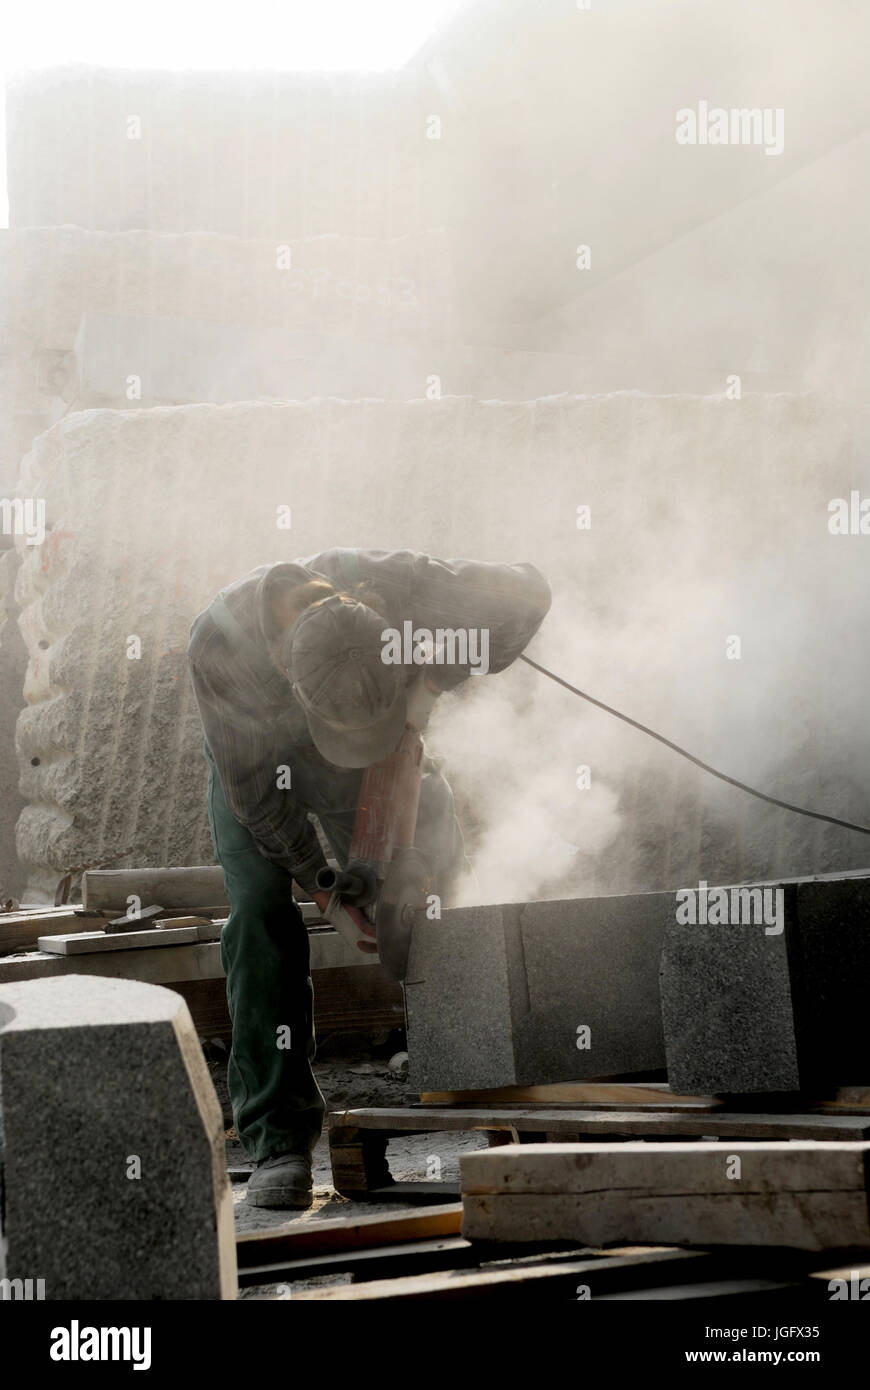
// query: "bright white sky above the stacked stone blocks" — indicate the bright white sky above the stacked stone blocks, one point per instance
point(370, 35)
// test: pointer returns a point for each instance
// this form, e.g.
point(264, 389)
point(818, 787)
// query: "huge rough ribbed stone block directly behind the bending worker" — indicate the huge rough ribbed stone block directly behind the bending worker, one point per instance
point(110, 749)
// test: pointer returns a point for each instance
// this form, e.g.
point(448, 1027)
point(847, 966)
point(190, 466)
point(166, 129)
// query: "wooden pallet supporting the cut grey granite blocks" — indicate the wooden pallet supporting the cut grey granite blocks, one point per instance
point(359, 1138)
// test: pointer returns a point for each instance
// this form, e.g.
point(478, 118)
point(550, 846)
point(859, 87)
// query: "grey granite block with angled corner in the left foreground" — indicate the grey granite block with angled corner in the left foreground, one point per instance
point(94, 1075)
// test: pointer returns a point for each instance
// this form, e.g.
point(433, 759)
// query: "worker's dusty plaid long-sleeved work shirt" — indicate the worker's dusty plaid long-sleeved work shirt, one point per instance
point(252, 721)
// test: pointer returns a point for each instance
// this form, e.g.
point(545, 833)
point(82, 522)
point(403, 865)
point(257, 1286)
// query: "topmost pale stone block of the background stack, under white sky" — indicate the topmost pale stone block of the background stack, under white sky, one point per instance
point(247, 154)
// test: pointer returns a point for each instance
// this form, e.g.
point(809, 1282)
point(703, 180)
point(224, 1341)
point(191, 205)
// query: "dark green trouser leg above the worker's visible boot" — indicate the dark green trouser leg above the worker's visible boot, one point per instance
point(277, 1104)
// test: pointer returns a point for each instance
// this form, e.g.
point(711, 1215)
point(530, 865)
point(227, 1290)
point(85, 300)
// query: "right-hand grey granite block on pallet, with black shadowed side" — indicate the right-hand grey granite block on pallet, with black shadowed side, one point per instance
point(748, 1010)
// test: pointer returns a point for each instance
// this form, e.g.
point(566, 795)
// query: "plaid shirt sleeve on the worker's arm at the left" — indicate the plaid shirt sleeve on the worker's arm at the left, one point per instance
point(247, 758)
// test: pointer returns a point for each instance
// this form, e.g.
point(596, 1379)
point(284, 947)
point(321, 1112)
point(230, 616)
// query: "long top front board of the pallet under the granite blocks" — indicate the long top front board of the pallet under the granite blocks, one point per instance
point(632, 1124)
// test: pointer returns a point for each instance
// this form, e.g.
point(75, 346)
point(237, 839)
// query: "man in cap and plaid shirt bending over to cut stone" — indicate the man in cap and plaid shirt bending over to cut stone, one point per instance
point(306, 673)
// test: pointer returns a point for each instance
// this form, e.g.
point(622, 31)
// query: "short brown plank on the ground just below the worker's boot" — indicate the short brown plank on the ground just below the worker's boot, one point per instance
point(298, 1239)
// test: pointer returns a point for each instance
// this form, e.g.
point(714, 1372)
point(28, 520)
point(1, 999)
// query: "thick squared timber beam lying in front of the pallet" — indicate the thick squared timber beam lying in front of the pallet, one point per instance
point(810, 1196)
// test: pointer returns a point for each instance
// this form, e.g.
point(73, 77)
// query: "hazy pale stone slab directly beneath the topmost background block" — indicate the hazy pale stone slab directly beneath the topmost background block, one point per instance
point(205, 318)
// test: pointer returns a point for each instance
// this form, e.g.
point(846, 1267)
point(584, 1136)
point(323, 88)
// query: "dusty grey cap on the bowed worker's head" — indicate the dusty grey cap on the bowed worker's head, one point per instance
point(354, 701)
